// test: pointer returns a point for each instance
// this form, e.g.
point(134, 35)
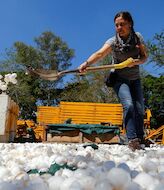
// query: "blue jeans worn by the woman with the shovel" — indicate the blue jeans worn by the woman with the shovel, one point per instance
point(131, 97)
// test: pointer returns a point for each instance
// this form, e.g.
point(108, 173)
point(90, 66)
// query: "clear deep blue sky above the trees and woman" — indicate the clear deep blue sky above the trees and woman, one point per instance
point(83, 24)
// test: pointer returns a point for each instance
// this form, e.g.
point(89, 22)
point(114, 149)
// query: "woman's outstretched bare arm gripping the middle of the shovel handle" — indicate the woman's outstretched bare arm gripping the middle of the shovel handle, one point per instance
point(101, 53)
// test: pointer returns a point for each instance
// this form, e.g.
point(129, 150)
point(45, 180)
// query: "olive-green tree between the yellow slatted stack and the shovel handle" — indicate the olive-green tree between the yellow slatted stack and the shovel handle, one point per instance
point(89, 87)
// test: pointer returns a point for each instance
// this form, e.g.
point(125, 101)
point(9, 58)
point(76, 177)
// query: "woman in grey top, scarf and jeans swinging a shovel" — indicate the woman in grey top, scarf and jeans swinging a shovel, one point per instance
point(126, 43)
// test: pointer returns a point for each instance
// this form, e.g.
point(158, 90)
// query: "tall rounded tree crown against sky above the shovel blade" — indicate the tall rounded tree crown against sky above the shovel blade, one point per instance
point(54, 53)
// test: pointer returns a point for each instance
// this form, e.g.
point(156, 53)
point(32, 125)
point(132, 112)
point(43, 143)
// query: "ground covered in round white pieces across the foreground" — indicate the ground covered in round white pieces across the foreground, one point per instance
point(110, 167)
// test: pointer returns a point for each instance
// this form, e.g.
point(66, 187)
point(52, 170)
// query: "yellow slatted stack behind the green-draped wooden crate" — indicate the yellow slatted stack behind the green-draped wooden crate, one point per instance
point(81, 113)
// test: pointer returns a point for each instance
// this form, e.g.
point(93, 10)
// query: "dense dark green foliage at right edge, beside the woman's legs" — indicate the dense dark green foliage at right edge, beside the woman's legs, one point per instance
point(153, 94)
